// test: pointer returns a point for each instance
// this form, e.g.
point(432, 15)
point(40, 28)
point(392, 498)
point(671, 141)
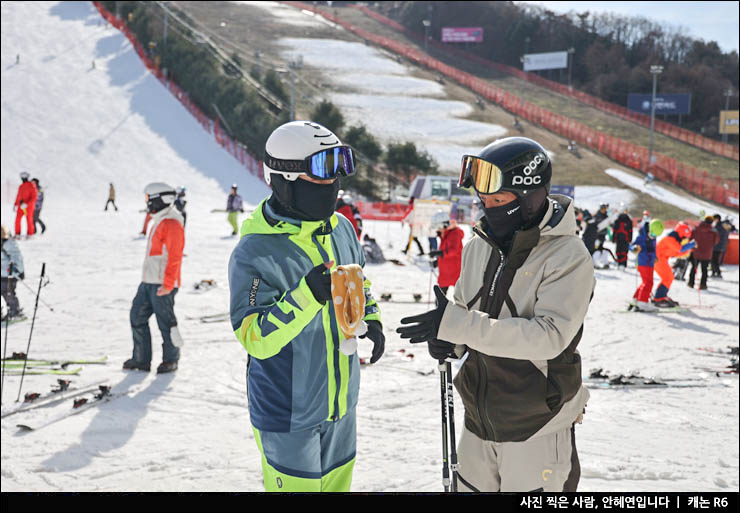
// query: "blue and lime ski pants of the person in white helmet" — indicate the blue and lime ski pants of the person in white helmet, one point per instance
point(319, 459)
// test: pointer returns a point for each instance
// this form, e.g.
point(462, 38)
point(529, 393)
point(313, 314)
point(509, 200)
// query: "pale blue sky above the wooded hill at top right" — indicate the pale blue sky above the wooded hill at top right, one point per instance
point(710, 21)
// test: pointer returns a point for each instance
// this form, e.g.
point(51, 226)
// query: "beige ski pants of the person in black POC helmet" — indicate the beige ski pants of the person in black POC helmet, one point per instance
point(547, 463)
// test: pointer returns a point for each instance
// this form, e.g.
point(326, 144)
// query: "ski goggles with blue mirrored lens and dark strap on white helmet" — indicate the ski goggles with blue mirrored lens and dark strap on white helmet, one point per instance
point(323, 165)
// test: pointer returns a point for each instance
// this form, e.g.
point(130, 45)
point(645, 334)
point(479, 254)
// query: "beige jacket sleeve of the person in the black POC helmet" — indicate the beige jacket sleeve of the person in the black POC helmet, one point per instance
point(562, 302)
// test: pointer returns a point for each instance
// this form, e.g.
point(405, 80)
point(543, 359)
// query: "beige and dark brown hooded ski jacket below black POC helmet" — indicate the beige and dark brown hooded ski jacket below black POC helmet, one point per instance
point(519, 316)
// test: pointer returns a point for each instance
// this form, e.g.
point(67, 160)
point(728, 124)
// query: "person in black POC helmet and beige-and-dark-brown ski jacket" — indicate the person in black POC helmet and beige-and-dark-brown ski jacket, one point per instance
point(517, 318)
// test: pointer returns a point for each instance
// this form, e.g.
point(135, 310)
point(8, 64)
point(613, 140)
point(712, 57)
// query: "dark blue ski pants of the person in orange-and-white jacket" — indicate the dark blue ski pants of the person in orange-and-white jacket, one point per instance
point(146, 303)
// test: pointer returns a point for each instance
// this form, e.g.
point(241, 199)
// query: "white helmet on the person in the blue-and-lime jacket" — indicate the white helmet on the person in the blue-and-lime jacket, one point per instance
point(289, 145)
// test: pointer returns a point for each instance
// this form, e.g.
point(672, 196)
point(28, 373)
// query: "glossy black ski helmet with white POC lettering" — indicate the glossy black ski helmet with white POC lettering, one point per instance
point(526, 170)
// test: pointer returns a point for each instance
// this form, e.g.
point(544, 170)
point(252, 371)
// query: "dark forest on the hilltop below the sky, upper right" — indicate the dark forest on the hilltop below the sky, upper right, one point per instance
point(612, 57)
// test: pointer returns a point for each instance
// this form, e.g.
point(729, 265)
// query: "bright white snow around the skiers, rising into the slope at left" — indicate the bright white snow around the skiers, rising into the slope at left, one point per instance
point(78, 128)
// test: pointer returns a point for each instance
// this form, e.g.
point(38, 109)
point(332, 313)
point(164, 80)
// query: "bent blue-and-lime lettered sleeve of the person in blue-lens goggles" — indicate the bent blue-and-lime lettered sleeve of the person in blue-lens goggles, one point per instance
point(264, 318)
